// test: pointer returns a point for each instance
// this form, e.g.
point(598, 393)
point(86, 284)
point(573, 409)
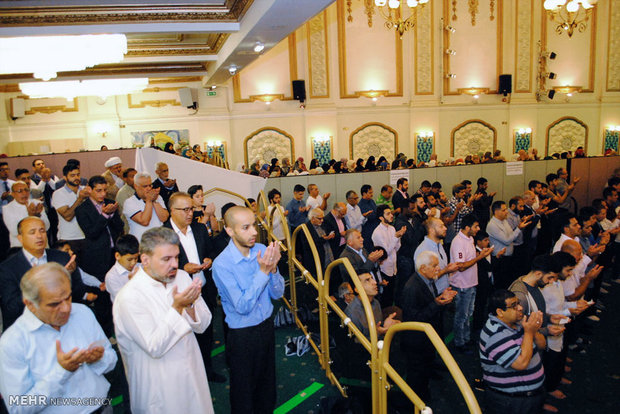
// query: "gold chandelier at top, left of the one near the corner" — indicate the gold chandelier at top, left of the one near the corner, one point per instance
point(393, 11)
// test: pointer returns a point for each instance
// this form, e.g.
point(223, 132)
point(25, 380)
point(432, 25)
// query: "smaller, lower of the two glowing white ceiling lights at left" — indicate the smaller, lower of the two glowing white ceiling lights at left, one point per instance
point(91, 87)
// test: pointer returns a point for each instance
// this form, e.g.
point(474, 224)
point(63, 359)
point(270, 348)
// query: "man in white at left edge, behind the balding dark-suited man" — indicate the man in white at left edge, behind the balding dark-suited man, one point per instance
point(21, 207)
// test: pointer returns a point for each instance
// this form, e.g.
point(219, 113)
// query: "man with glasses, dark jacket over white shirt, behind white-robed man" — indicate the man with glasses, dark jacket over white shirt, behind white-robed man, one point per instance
point(195, 257)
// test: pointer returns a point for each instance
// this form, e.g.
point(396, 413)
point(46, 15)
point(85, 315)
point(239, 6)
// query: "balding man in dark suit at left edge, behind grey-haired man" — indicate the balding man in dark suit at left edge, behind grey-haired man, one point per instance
point(31, 233)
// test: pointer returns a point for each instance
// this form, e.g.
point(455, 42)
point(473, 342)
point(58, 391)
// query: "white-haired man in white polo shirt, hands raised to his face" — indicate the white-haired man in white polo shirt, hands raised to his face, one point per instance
point(146, 209)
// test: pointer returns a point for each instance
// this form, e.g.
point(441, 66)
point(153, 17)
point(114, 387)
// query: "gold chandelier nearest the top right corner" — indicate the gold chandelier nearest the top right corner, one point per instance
point(569, 15)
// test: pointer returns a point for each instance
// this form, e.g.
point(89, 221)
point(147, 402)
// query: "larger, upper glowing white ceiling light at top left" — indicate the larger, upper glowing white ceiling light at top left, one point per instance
point(45, 56)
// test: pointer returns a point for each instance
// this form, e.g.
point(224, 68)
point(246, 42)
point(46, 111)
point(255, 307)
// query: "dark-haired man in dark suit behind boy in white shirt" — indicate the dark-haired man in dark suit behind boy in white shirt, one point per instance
point(99, 220)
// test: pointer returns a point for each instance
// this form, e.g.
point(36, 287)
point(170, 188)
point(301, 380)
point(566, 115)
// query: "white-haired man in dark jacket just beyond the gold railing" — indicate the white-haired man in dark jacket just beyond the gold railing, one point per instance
point(421, 303)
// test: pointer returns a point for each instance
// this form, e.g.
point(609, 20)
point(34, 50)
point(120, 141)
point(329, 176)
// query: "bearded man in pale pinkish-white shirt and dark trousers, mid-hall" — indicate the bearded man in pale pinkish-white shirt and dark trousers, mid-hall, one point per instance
point(386, 236)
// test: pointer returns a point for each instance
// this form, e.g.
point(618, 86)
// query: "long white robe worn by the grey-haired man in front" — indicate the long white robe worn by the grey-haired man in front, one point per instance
point(162, 359)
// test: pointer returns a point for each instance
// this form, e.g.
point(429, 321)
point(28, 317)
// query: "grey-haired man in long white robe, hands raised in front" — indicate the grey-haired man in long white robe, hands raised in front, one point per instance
point(155, 314)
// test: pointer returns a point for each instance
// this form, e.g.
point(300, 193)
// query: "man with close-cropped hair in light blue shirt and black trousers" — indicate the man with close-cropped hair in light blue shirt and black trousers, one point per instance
point(247, 278)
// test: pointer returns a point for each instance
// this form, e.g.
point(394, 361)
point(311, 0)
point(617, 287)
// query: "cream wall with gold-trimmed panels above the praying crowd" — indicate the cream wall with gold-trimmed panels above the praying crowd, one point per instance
point(424, 101)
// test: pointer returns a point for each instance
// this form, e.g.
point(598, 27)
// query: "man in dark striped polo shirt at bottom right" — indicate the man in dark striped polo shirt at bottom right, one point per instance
point(510, 346)
